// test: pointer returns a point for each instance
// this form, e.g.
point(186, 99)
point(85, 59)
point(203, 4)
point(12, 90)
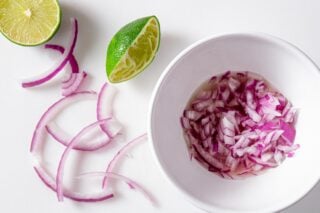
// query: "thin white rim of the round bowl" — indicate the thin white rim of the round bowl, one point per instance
point(181, 191)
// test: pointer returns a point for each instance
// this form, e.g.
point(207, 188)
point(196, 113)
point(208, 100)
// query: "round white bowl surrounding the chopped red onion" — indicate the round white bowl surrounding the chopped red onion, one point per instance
point(289, 70)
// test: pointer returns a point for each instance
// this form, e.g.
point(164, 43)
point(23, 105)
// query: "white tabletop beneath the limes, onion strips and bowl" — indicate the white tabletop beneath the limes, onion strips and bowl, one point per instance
point(183, 22)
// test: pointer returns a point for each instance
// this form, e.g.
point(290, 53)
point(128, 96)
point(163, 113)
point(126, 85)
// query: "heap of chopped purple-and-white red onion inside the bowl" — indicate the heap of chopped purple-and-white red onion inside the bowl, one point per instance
point(237, 125)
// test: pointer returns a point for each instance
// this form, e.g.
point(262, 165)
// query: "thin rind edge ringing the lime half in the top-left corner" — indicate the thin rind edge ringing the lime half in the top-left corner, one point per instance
point(54, 28)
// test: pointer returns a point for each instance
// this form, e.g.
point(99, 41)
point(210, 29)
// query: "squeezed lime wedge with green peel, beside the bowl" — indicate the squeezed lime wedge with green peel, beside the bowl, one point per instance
point(132, 49)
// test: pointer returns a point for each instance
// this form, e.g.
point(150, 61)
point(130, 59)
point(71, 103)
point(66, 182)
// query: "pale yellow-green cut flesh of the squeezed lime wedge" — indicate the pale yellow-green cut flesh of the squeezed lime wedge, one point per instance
point(136, 57)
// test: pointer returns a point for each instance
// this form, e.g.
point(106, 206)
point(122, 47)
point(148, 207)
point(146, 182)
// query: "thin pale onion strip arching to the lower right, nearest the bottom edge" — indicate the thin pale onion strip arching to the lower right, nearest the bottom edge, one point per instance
point(132, 184)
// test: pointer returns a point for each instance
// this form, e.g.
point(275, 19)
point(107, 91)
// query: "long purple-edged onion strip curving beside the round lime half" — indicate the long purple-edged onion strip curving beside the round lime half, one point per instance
point(51, 73)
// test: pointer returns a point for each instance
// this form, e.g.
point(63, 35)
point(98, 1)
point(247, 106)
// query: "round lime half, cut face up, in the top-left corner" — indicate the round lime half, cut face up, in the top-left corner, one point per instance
point(29, 22)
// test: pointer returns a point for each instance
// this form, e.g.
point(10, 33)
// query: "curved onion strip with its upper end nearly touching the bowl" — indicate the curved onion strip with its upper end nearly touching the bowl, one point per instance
point(120, 154)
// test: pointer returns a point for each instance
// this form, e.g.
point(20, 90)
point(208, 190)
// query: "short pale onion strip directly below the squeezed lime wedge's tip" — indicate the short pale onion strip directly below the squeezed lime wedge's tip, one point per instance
point(104, 106)
